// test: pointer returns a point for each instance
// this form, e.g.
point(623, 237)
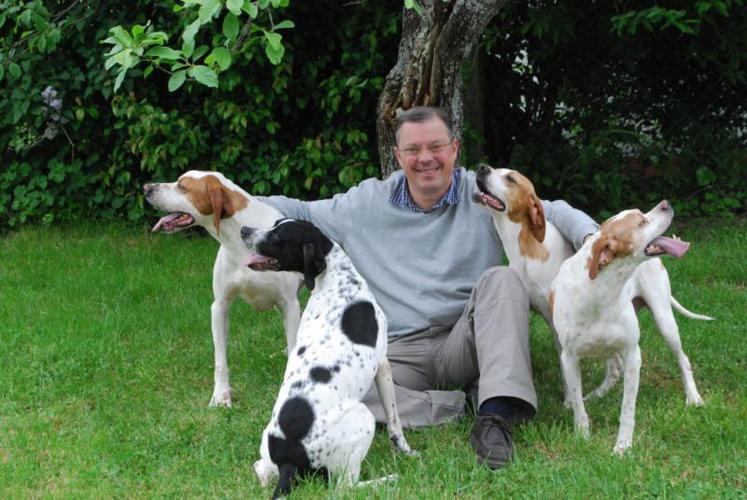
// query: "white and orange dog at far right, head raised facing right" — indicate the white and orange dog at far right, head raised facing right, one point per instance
point(591, 305)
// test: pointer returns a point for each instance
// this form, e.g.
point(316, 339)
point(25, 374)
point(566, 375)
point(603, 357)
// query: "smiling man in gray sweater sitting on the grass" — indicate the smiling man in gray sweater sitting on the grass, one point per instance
point(431, 257)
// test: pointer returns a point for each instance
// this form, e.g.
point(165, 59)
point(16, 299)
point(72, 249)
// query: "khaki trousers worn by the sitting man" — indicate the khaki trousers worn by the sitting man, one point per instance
point(489, 344)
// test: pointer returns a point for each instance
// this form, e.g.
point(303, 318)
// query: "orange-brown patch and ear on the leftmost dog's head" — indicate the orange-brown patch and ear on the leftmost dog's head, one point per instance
point(210, 196)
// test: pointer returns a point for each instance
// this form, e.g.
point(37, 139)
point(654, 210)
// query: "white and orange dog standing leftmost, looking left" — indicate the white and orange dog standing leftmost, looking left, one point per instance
point(209, 200)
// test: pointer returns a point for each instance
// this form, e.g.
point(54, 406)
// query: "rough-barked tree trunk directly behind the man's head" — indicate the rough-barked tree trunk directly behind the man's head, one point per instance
point(432, 51)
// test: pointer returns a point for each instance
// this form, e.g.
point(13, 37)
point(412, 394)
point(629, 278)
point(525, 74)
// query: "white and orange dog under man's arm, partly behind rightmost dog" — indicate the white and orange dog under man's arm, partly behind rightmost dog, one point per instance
point(536, 250)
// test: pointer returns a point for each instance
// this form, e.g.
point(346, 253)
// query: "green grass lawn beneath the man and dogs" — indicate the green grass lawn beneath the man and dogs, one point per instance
point(106, 362)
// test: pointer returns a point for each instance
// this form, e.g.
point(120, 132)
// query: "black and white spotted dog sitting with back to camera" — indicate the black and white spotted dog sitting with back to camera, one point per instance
point(318, 422)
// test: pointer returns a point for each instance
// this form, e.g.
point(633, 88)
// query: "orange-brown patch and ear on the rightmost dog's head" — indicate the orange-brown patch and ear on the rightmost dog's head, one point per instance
point(616, 239)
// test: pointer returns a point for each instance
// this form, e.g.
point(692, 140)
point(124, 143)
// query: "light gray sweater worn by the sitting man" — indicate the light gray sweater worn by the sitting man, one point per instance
point(420, 266)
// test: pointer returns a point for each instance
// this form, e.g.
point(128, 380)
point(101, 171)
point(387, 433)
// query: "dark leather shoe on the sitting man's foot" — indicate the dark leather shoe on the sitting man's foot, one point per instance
point(491, 438)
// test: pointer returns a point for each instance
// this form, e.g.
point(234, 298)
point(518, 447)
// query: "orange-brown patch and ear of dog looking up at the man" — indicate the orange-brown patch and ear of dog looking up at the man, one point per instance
point(525, 208)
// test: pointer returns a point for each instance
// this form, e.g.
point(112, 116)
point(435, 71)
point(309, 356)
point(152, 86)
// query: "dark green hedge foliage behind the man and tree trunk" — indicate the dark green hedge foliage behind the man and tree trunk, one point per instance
point(608, 105)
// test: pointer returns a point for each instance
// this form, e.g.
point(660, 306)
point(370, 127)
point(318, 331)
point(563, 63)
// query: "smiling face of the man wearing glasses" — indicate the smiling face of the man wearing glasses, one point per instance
point(427, 156)
